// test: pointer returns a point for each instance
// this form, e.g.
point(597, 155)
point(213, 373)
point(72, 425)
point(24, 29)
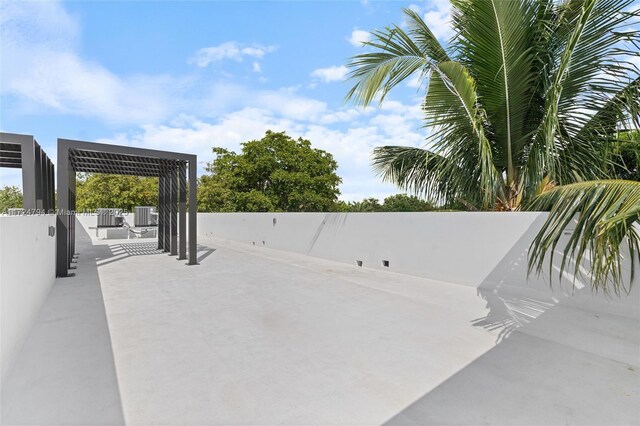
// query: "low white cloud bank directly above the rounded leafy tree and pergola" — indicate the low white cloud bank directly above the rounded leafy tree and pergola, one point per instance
point(351, 146)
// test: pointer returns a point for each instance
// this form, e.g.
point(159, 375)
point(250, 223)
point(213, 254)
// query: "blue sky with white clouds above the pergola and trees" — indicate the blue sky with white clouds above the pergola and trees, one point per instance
point(187, 76)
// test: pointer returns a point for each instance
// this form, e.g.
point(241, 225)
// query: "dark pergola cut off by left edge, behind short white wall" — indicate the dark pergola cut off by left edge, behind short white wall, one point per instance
point(23, 152)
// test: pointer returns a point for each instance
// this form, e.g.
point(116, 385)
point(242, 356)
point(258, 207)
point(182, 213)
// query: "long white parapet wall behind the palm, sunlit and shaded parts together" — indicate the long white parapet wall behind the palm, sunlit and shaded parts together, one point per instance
point(487, 250)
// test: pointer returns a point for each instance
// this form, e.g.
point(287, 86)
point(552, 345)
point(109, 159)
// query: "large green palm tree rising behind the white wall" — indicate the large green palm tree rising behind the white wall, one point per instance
point(524, 106)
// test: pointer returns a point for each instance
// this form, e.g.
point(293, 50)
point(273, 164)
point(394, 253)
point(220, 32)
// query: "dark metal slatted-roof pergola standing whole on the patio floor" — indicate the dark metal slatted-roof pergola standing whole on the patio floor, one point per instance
point(169, 167)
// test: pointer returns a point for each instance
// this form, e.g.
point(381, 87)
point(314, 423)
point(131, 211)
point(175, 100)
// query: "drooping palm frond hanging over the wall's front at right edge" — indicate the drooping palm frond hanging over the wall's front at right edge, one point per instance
point(606, 215)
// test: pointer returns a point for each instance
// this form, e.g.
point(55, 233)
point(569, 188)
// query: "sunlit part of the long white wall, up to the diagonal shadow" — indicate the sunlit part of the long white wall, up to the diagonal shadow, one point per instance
point(456, 247)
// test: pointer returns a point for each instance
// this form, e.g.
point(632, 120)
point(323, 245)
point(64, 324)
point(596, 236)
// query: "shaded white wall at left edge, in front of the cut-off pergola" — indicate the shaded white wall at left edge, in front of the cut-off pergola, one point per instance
point(27, 272)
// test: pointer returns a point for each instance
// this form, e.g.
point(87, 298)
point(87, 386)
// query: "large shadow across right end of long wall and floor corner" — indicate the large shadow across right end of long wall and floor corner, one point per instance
point(564, 355)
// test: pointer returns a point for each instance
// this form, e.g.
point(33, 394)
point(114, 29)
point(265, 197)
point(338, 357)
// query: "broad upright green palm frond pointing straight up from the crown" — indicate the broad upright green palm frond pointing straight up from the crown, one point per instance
point(496, 43)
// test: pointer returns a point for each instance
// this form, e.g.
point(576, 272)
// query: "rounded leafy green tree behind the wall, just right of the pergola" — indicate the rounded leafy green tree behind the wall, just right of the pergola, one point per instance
point(275, 173)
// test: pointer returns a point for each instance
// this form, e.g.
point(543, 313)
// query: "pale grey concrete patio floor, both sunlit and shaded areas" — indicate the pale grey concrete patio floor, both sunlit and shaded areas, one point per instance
point(259, 336)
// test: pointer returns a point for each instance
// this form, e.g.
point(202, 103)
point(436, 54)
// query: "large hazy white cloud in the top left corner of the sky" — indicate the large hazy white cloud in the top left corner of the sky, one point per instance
point(45, 69)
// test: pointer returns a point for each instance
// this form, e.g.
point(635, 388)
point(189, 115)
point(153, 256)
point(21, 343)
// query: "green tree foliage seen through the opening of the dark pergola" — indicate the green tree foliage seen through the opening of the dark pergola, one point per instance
point(95, 191)
